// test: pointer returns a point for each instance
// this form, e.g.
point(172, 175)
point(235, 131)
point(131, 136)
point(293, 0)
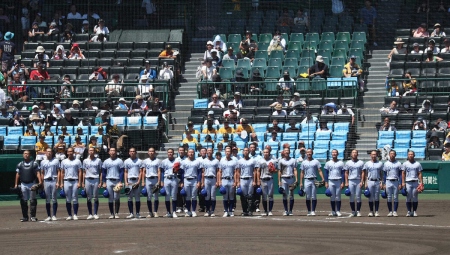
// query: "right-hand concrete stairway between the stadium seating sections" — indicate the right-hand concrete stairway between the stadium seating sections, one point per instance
point(373, 101)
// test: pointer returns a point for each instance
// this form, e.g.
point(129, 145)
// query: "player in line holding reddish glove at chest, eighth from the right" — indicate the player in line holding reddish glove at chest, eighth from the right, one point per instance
point(265, 180)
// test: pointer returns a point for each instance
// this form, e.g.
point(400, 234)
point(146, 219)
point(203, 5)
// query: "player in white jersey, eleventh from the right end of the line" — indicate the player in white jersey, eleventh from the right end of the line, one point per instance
point(210, 167)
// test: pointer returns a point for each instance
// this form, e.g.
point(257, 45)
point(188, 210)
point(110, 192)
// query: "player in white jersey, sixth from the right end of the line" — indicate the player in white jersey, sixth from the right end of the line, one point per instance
point(309, 169)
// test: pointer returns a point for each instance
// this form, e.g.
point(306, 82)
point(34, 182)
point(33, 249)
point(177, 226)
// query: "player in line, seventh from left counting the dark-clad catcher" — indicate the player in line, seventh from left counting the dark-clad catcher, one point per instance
point(150, 171)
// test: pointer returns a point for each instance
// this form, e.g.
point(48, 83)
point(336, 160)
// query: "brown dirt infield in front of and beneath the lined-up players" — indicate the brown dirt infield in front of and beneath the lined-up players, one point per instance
point(427, 234)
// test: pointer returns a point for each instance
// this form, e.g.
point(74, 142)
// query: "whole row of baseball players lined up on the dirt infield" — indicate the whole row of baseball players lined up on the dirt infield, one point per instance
point(188, 181)
